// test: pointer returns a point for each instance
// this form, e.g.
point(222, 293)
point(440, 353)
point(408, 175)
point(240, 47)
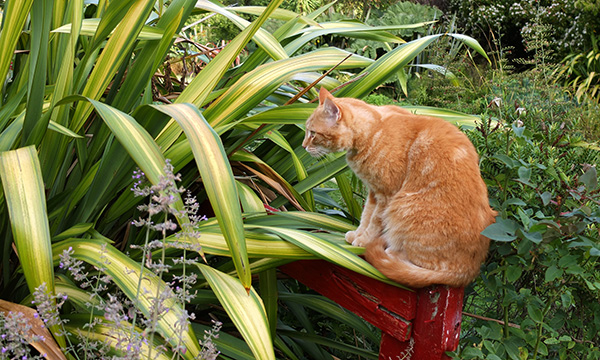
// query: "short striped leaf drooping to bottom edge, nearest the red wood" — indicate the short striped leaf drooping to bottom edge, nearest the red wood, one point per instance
point(245, 308)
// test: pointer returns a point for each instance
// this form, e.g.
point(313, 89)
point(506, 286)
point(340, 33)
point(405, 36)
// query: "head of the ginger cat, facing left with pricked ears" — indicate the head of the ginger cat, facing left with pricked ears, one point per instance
point(325, 129)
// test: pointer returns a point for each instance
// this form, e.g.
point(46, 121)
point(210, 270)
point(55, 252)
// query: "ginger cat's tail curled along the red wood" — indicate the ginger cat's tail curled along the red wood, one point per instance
point(409, 274)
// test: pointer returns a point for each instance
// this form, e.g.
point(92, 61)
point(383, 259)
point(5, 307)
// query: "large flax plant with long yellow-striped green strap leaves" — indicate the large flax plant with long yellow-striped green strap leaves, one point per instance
point(78, 114)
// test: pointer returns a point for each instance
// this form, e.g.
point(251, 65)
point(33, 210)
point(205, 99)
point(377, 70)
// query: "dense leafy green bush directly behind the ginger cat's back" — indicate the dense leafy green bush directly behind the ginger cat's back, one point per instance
point(542, 274)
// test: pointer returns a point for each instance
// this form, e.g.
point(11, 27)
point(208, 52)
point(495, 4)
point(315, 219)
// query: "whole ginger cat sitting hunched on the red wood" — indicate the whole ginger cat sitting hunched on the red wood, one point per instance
point(427, 203)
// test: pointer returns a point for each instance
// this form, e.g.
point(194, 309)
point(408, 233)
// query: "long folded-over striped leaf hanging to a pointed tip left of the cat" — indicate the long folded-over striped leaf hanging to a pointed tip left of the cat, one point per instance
point(217, 178)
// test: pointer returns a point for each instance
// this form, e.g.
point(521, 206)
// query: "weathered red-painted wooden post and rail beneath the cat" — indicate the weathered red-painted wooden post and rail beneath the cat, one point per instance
point(421, 324)
